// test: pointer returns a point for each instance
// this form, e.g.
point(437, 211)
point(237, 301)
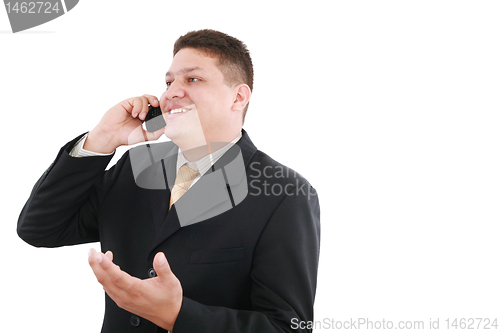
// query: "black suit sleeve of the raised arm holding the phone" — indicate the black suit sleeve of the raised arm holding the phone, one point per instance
point(62, 207)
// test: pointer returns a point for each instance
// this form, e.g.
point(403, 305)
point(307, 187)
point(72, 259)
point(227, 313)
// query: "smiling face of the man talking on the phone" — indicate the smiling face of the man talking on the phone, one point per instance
point(194, 78)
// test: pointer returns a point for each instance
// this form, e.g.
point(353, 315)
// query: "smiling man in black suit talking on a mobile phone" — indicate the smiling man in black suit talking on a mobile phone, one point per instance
point(246, 263)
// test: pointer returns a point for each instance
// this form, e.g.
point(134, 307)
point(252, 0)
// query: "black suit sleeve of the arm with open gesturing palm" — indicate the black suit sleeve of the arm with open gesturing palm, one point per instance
point(284, 276)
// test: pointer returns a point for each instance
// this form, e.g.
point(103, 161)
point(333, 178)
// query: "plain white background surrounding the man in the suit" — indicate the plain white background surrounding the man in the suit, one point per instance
point(389, 108)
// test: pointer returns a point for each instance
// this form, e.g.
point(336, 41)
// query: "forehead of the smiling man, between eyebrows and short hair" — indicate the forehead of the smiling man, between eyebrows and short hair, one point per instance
point(191, 60)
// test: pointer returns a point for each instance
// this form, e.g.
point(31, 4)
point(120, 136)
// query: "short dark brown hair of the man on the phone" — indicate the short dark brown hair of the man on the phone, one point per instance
point(234, 58)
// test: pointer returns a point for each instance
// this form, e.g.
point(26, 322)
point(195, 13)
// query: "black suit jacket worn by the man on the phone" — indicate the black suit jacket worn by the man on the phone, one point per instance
point(251, 268)
